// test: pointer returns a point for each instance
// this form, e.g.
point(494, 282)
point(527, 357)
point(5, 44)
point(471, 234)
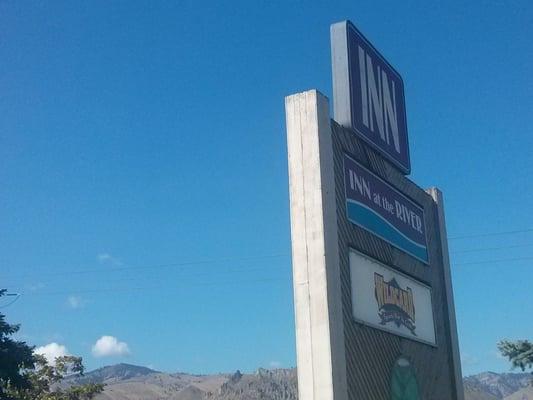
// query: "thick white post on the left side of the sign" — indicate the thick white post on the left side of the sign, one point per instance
point(316, 275)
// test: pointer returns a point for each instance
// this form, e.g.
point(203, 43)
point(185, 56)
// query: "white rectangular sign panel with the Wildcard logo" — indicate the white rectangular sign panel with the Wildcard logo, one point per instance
point(386, 299)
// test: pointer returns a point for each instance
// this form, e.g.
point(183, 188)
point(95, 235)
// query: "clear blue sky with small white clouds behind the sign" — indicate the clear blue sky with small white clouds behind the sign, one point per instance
point(144, 176)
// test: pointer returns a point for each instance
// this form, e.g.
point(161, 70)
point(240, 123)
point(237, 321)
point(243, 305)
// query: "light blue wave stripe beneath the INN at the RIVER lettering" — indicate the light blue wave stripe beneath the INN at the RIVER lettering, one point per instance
point(368, 219)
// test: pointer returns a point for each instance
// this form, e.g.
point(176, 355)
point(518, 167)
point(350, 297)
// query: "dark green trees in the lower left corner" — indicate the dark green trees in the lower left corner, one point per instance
point(28, 376)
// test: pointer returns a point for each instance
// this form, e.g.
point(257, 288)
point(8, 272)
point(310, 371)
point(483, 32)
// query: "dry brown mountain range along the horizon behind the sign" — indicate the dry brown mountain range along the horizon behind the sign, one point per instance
point(131, 382)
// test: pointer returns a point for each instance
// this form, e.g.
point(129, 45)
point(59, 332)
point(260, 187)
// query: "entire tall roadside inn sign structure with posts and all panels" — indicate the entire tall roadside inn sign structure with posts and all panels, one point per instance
point(374, 308)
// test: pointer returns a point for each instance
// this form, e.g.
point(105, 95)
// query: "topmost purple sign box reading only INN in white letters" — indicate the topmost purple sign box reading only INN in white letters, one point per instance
point(368, 95)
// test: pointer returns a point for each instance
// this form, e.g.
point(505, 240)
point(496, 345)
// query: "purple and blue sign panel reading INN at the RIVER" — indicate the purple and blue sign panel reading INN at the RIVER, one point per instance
point(377, 207)
